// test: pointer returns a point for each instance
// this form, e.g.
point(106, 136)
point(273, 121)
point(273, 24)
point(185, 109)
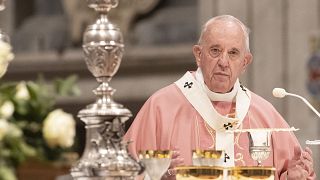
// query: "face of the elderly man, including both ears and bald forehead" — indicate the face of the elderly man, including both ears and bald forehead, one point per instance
point(222, 55)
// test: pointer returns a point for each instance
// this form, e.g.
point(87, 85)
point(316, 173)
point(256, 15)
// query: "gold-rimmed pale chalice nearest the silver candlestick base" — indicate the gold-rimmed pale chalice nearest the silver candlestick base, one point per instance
point(156, 162)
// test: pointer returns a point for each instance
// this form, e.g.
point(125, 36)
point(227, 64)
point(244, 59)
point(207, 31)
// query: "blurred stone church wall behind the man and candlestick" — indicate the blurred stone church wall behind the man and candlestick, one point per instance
point(46, 37)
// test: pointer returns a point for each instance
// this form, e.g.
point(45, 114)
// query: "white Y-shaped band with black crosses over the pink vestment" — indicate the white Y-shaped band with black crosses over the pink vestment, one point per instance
point(195, 94)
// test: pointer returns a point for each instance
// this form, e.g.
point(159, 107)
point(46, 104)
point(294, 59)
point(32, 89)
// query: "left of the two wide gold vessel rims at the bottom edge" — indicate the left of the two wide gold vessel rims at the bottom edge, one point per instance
point(199, 172)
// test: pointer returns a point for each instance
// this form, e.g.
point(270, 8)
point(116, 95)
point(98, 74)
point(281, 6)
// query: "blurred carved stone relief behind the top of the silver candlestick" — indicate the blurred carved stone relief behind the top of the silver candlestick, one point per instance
point(58, 25)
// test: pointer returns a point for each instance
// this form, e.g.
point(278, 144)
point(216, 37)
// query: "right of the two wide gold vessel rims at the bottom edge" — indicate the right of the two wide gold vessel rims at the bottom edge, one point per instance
point(251, 173)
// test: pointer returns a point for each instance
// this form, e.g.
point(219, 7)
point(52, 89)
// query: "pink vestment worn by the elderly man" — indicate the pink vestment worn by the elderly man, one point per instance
point(168, 121)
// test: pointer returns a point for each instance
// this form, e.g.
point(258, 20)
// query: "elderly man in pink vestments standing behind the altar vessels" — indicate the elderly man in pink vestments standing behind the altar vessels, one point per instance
point(195, 111)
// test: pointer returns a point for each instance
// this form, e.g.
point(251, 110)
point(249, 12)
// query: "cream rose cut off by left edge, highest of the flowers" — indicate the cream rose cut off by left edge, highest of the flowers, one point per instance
point(5, 57)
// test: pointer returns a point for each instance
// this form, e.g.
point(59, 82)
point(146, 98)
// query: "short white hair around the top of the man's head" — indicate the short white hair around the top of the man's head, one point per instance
point(227, 18)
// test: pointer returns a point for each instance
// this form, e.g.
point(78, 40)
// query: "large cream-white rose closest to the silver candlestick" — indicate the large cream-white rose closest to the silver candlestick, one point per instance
point(59, 129)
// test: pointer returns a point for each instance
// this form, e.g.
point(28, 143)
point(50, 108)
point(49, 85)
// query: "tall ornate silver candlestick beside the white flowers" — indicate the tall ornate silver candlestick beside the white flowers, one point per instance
point(105, 156)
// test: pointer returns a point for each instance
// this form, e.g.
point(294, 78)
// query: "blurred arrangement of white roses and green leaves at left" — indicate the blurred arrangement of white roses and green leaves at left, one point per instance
point(30, 124)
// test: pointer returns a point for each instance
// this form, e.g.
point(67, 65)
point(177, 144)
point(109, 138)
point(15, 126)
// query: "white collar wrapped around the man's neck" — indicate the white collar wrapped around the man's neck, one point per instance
point(213, 96)
